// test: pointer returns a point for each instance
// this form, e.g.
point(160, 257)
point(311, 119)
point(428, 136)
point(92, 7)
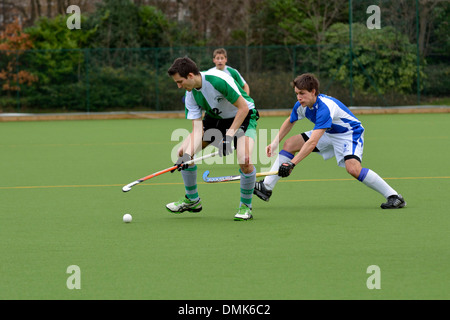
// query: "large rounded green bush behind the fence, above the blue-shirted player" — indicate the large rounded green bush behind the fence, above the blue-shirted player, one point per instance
point(384, 59)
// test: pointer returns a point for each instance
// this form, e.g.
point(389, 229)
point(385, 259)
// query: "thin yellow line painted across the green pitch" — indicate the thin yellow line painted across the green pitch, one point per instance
point(180, 183)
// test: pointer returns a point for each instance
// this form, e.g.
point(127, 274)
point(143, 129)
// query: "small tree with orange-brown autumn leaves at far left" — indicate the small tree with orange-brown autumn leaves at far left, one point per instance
point(14, 42)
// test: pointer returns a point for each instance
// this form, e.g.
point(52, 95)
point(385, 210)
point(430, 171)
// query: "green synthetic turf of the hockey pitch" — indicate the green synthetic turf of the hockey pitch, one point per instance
point(61, 204)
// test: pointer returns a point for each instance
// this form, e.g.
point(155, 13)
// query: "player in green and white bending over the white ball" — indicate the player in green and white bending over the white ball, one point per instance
point(230, 121)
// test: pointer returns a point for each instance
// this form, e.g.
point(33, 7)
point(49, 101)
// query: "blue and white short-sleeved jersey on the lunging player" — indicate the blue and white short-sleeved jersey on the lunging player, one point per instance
point(330, 114)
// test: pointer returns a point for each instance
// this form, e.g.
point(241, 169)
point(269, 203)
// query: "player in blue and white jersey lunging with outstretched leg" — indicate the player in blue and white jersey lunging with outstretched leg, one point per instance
point(336, 133)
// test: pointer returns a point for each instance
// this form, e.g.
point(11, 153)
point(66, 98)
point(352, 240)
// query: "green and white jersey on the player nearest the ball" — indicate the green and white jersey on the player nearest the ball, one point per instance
point(216, 96)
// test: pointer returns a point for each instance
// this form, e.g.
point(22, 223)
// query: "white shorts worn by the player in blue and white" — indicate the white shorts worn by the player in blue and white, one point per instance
point(340, 145)
